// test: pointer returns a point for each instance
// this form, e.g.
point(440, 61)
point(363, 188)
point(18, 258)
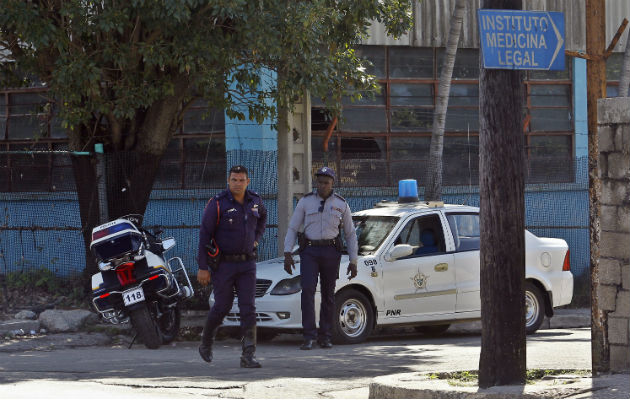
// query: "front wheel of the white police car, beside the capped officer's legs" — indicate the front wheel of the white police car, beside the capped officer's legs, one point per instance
point(354, 317)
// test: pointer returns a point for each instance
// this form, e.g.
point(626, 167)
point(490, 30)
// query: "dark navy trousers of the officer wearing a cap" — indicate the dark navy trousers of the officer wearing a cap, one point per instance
point(322, 260)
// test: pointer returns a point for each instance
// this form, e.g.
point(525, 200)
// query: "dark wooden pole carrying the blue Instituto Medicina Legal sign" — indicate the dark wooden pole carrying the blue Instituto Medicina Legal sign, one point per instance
point(502, 223)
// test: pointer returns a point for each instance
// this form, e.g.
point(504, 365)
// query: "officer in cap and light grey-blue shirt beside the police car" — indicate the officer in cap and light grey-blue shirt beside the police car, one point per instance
point(322, 213)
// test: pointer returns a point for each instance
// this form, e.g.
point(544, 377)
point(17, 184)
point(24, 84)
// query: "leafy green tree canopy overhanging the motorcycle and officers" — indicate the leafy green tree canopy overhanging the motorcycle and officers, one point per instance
point(113, 66)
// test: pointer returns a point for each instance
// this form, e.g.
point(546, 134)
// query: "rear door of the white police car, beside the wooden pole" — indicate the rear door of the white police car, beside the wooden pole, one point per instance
point(465, 229)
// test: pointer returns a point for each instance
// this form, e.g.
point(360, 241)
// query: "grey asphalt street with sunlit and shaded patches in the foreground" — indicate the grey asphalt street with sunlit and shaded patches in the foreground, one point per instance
point(69, 365)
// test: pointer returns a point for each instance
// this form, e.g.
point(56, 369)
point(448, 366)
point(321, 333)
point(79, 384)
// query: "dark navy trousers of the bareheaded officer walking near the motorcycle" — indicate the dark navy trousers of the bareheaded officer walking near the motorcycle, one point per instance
point(239, 275)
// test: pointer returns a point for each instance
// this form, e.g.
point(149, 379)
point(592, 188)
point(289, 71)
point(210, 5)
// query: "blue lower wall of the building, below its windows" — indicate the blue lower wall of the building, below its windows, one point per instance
point(551, 210)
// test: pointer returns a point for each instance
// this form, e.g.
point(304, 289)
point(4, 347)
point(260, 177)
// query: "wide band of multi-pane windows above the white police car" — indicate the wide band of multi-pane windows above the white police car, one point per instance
point(398, 121)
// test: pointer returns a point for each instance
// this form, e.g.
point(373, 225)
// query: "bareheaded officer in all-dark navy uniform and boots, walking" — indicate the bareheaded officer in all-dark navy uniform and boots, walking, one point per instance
point(233, 223)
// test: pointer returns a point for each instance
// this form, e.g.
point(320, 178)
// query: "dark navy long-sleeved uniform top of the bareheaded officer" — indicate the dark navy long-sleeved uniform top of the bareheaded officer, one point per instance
point(239, 225)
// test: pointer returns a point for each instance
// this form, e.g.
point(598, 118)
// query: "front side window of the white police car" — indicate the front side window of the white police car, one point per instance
point(424, 234)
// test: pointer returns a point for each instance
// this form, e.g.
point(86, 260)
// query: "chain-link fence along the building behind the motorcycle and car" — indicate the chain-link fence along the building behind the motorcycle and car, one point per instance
point(40, 217)
